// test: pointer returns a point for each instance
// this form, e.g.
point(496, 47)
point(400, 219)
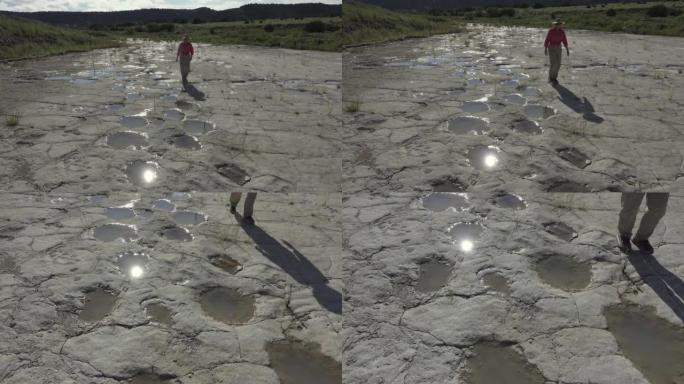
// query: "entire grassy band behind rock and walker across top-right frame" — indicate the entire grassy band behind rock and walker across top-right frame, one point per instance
point(365, 23)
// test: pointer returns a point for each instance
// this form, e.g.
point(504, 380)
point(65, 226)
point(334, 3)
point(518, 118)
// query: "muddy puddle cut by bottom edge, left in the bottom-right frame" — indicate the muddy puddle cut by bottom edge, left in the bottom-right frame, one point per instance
point(496, 364)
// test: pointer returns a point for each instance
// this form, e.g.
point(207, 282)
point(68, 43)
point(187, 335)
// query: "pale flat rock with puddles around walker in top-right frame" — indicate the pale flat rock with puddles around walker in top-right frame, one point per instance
point(613, 124)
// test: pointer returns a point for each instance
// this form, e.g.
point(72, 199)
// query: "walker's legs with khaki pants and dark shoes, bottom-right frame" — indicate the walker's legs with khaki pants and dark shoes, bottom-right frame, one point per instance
point(656, 203)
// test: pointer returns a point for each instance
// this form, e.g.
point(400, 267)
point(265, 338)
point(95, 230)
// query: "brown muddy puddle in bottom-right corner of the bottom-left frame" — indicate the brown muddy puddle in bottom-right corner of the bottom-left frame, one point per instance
point(300, 363)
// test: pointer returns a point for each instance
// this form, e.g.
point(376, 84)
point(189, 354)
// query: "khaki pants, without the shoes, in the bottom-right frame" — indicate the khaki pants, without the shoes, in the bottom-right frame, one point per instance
point(656, 203)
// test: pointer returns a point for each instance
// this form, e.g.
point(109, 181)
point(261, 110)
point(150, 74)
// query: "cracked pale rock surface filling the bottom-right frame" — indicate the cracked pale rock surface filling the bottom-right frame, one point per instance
point(506, 290)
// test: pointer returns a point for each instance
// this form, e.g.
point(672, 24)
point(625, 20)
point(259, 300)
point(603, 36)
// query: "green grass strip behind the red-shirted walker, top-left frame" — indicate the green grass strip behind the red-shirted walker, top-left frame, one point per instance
point(284, 34)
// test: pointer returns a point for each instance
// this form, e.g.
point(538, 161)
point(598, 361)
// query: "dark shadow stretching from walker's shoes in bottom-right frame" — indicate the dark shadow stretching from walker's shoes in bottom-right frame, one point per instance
point(668, 286)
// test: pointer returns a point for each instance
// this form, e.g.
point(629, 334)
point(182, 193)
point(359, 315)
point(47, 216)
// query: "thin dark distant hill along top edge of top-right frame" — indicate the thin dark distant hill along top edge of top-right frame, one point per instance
point(451, 4)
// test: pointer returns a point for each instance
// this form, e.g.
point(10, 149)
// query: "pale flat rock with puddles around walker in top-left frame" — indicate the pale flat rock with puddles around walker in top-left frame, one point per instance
point(273, 113)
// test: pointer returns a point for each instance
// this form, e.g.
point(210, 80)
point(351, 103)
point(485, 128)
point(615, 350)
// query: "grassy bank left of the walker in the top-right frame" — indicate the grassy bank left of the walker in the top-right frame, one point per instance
point(364, 23)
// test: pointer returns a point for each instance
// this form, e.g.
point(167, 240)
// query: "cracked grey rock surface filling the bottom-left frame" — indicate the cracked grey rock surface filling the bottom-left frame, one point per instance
point(148, 308)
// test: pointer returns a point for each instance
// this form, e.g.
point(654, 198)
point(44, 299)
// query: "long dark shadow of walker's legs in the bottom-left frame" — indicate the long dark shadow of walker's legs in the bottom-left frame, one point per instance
point(295, 264)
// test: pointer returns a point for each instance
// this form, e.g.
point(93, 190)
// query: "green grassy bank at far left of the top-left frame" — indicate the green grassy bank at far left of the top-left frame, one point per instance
point(23, 38)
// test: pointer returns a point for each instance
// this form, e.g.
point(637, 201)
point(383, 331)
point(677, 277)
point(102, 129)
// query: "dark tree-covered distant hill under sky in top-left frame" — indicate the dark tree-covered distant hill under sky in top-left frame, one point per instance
point(246, 12)
